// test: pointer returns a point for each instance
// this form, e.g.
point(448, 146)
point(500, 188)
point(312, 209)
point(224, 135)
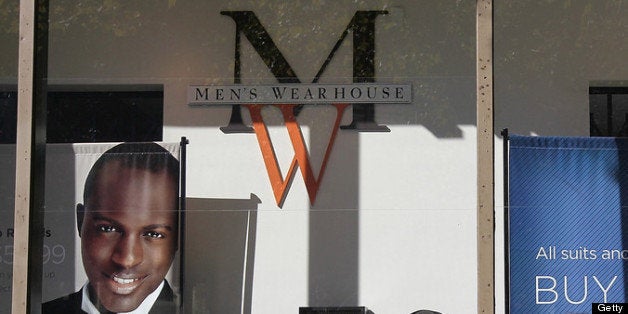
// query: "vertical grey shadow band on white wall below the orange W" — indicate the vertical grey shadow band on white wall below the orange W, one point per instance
point(334, 221)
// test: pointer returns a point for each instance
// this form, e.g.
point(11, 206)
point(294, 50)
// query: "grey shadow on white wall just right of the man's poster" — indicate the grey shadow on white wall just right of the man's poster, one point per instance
point(220, 254)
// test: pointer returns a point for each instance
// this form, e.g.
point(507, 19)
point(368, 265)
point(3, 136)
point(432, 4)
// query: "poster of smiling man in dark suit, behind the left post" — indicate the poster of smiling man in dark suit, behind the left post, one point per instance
point(111, 238)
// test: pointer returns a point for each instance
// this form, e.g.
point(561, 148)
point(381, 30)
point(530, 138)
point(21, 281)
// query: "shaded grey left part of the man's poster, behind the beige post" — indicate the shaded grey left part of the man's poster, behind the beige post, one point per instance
point(60, 223)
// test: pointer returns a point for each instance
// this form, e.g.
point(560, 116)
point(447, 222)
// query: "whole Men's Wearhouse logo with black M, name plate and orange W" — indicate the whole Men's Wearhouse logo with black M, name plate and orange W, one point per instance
point(290, 94)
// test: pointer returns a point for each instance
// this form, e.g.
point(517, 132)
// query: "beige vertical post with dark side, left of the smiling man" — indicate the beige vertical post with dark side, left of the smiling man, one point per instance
point(30, 157)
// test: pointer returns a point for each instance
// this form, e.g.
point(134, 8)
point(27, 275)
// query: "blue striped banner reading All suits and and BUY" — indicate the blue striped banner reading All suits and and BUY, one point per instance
point(568, 245)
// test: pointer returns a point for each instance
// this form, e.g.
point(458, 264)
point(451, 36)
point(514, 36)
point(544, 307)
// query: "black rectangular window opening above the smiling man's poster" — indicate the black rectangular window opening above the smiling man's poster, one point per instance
point(92, 116)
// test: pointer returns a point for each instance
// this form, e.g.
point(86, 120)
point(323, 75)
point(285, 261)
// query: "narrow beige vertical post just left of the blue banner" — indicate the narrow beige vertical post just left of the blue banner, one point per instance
point(485, 156)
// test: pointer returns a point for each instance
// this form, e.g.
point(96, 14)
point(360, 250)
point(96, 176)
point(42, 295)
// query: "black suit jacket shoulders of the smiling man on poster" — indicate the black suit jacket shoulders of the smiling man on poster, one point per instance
point(71, 304)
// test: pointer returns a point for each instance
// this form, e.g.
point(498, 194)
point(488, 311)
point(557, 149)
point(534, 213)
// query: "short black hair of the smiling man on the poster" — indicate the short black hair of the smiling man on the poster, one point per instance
point(143, 156)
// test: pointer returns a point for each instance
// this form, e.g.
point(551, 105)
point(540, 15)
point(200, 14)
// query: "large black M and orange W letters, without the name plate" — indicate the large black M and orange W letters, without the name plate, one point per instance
point(362, 25)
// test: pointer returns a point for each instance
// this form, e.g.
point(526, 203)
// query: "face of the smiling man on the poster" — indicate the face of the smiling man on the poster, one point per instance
point(128, 235)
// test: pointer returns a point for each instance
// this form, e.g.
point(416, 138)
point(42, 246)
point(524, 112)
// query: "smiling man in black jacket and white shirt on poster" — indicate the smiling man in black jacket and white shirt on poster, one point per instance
point(129, 233)
